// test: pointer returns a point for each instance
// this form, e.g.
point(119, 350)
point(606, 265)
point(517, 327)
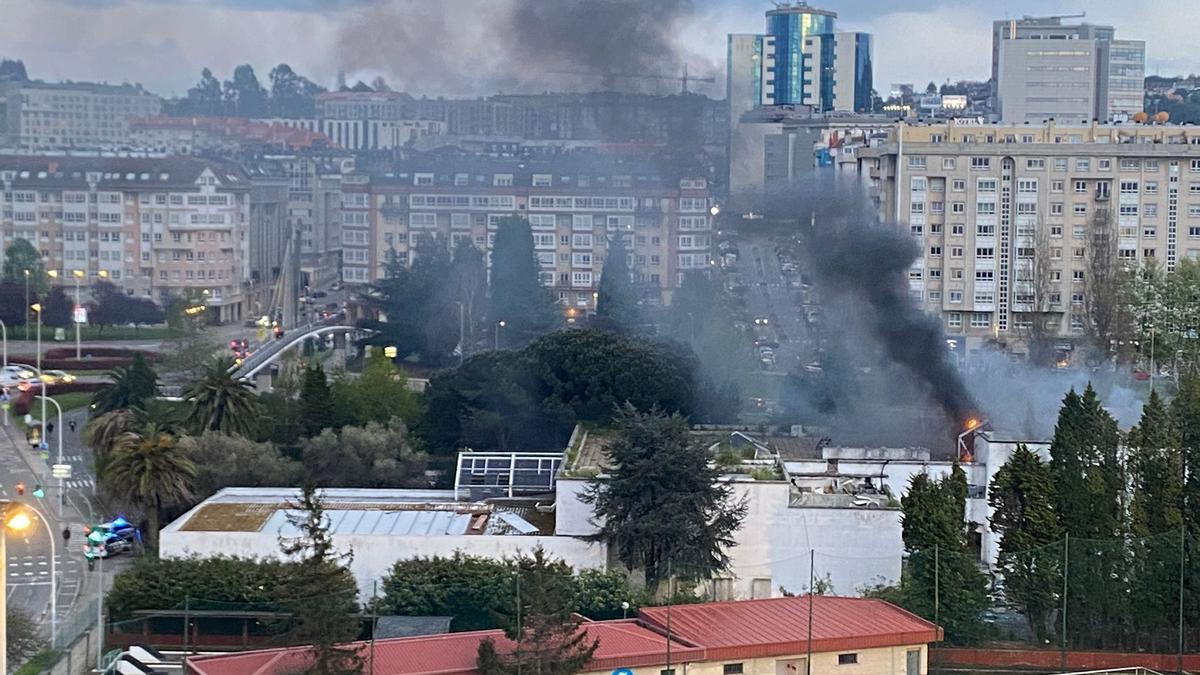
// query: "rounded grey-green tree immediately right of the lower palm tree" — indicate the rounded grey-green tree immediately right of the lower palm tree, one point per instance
point(233, 462)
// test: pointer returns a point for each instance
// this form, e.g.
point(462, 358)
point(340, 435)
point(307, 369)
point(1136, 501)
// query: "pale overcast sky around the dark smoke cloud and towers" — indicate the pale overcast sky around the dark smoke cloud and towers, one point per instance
point(165, 44)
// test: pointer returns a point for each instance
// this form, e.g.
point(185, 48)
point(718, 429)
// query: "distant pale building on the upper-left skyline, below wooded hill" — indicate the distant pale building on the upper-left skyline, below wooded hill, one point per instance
point(44, 116)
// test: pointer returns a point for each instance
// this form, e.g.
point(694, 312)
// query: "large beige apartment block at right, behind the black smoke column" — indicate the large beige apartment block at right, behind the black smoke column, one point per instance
point(1009, 217)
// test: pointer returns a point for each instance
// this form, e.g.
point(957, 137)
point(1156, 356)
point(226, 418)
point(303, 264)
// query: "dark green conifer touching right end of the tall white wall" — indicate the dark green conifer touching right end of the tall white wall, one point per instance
point(943, 582)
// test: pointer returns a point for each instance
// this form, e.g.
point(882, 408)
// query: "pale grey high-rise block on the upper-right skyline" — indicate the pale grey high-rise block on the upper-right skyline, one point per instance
point(1045, 69)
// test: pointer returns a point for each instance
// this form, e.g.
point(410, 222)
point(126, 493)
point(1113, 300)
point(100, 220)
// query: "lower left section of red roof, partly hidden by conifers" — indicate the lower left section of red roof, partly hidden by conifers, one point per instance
point(623, 644)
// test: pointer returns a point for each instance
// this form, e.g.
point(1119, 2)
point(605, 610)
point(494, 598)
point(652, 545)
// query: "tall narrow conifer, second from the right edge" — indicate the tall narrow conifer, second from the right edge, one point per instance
point(1156, 516)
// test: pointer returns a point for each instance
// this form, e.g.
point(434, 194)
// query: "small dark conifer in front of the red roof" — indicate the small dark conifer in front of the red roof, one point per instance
point(549, 638)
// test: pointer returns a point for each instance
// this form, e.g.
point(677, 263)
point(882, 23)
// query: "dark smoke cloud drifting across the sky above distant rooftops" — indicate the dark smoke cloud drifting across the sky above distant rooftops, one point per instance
point(518, 46)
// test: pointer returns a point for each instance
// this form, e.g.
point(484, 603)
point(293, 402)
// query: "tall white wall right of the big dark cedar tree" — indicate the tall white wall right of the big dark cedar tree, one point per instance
point(854, 547)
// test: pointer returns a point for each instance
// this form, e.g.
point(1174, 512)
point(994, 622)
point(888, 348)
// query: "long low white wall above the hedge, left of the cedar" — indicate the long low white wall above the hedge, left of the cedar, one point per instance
point(375, 555)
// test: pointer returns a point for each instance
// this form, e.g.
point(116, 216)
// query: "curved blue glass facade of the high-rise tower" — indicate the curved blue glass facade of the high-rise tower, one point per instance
point(791, 27)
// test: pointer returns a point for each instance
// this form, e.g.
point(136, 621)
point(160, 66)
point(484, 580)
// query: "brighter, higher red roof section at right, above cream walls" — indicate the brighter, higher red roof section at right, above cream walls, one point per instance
point(779, 626)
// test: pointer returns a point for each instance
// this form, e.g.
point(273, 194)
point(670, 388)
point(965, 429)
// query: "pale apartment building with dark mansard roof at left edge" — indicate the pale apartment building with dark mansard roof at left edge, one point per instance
point(153, 226)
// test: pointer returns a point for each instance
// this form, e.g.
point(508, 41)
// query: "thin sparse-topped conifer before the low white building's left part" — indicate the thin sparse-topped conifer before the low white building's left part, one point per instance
point(325, 596)
